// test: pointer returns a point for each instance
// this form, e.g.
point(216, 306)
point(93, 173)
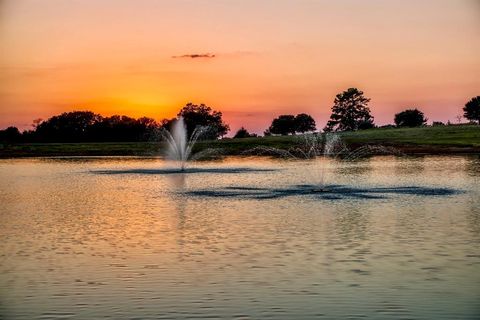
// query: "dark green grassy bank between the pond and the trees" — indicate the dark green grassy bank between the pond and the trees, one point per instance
point(424, 140)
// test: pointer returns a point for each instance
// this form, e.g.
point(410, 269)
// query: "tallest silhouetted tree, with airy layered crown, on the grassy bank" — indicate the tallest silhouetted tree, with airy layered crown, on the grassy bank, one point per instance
point(350, 112)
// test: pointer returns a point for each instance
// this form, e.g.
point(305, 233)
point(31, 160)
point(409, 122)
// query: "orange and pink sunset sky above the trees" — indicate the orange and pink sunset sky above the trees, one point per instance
point(252, 60)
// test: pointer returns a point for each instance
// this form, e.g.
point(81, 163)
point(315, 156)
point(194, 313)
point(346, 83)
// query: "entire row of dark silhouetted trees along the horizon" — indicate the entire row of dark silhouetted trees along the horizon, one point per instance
point(350, 112)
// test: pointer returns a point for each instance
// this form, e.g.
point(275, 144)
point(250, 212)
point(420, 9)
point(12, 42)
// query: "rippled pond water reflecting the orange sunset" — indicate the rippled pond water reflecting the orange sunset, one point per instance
point(119, 238)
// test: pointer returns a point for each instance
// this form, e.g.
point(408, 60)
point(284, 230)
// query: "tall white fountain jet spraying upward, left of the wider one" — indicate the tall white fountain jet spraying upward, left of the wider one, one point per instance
point(179, 146)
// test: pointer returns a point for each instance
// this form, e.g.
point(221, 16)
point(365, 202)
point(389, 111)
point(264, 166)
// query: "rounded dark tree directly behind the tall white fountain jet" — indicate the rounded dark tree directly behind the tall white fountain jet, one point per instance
point(202, 115)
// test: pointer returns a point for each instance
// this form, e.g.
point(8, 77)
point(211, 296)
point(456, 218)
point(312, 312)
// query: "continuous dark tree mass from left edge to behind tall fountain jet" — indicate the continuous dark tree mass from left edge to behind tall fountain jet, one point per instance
point(86, 126)
